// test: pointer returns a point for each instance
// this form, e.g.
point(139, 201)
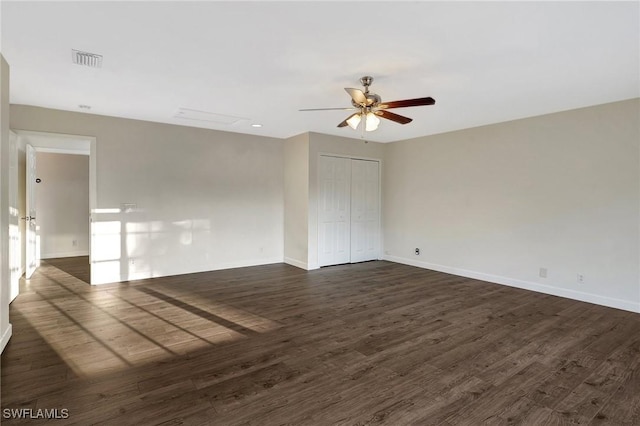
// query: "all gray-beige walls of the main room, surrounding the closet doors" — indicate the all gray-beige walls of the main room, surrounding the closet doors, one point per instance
point(559, 192)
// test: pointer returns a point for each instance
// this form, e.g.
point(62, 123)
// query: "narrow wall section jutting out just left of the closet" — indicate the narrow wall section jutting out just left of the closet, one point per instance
point(296, 200)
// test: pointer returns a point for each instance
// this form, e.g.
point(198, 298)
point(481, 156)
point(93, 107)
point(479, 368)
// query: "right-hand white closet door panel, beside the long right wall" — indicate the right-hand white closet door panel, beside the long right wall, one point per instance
point(365, 210)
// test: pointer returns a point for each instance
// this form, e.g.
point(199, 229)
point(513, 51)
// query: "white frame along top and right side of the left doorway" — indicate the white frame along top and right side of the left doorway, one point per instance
point(68, 144)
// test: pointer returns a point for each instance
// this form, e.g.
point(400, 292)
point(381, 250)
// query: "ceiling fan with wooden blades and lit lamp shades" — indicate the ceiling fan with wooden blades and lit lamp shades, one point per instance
point(370, 106)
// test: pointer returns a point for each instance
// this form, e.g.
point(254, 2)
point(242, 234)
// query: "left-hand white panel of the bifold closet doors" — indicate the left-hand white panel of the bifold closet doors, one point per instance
point(334, 210)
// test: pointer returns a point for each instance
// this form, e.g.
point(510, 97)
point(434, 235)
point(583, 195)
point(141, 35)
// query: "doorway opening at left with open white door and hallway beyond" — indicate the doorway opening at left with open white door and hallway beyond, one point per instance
point(67, 193)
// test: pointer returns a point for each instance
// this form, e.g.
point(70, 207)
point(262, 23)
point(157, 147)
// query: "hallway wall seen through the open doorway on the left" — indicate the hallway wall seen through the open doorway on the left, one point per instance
point(62, 202)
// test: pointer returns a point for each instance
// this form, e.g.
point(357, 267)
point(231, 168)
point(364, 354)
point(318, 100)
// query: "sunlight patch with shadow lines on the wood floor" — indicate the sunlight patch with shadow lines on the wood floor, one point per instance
point(97, 332)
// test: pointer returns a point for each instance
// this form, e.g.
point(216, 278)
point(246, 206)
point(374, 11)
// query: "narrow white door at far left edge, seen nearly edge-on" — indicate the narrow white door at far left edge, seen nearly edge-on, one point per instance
point(15, 247)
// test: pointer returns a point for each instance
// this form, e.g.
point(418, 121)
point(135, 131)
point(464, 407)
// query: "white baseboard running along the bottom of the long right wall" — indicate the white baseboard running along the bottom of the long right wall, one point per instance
point(526, 285)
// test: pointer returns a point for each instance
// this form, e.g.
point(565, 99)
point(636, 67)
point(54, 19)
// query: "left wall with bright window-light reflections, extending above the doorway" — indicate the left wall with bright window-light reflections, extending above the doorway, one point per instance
point(172, 199)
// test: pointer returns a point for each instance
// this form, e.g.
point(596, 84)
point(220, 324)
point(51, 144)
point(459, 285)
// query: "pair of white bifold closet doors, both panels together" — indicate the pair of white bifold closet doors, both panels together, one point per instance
point(348, 211)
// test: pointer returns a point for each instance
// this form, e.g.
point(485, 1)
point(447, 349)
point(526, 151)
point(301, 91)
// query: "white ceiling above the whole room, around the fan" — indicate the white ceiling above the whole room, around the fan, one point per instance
point(482, 62)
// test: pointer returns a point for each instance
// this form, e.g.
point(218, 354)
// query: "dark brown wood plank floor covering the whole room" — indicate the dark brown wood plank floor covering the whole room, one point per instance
point(372, 343)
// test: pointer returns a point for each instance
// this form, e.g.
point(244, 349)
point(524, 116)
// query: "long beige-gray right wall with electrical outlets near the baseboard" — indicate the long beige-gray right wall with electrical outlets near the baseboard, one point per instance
point(500, 202)
